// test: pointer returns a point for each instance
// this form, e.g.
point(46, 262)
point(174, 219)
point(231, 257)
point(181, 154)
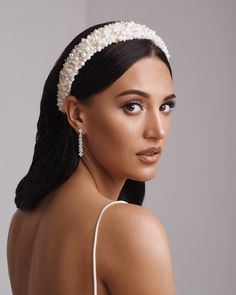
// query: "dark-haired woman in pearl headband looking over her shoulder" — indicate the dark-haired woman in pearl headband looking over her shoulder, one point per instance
point(104, 120)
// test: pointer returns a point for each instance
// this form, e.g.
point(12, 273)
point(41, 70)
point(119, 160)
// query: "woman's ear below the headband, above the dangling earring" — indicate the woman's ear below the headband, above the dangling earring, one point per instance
point(75, 113)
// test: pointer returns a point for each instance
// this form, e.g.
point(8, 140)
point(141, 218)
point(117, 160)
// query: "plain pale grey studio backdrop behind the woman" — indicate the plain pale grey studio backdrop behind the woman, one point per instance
point(193, 193)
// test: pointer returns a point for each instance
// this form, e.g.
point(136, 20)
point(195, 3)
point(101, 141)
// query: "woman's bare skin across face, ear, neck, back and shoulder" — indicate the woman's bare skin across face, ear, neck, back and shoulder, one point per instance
point(49, 249)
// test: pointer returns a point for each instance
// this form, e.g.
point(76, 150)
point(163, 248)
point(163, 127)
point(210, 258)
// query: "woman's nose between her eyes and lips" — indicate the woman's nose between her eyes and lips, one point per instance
point(156, 125)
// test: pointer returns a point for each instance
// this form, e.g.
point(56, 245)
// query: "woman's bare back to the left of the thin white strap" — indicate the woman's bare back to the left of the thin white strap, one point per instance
point(50, 250)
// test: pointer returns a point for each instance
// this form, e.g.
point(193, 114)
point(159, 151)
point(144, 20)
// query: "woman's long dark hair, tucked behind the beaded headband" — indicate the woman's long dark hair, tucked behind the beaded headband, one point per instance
point(55, 155)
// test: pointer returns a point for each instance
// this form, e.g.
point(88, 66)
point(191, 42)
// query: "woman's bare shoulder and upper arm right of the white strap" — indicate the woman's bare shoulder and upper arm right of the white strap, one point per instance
point(139, 255)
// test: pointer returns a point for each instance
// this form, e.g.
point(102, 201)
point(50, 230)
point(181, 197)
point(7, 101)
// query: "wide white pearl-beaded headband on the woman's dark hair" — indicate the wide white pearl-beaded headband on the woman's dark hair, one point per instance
point(96, 41)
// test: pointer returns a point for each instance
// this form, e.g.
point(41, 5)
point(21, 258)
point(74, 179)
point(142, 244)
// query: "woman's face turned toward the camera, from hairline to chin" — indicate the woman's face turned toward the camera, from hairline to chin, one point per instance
point(118, 126)
